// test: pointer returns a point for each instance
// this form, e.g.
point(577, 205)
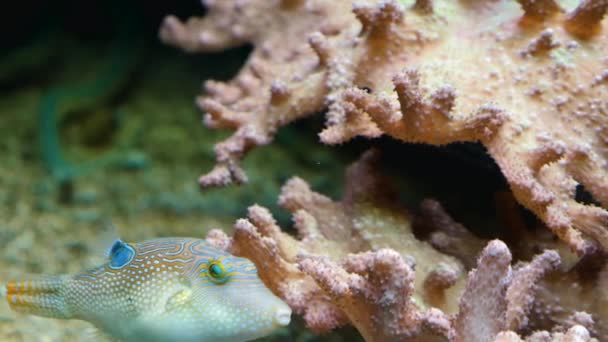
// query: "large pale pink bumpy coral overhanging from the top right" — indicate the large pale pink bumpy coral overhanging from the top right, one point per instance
point(528, 79)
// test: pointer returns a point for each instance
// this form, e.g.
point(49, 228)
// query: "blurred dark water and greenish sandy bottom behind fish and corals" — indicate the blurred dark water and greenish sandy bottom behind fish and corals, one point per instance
point(99, 128)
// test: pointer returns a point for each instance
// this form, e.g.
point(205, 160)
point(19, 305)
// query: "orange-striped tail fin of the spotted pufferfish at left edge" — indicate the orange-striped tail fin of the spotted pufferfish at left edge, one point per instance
point(42, 297)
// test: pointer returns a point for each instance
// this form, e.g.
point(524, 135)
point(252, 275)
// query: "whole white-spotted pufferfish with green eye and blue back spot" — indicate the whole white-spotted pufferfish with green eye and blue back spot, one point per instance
point(168, 289)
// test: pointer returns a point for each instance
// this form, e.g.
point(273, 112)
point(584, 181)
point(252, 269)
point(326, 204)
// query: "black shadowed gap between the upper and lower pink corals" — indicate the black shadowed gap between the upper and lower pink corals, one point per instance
point(460, 176)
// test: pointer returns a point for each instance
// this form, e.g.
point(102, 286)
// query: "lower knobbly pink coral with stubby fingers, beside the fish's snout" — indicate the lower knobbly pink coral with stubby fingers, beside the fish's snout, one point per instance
point(357, 262)
